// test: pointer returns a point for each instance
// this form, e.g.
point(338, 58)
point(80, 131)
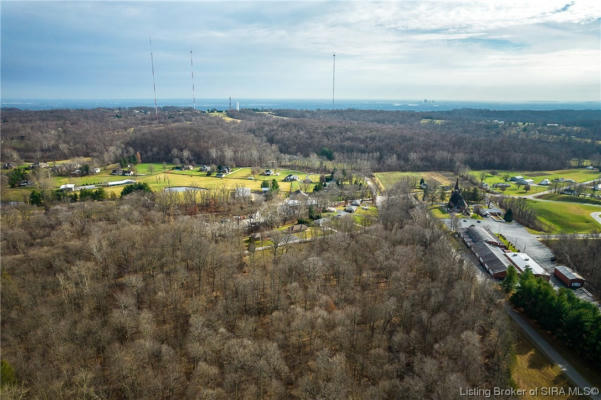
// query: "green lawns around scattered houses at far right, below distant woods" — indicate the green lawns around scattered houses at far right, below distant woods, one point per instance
point(577, 174)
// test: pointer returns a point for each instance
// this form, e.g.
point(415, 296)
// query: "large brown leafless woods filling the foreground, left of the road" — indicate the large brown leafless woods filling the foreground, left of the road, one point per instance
point(114, 300)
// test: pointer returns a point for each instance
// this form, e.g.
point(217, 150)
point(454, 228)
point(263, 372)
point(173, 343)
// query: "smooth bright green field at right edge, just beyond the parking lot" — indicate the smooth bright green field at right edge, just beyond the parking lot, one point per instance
point(566, 217)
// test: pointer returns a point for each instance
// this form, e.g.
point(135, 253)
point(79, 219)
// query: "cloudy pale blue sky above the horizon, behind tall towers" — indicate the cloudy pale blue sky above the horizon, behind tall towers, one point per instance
point(490, 50)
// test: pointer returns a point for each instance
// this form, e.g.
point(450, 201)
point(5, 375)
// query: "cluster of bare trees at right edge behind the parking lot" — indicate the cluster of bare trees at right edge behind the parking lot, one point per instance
point(583, 255)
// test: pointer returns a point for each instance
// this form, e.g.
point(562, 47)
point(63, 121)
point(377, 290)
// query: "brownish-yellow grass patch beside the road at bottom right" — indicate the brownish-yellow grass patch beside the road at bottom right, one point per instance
point(532, 369)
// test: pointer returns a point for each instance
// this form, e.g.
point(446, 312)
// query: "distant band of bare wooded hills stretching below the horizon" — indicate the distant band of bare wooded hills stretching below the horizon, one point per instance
point(375, 140)
